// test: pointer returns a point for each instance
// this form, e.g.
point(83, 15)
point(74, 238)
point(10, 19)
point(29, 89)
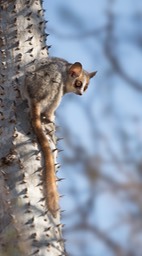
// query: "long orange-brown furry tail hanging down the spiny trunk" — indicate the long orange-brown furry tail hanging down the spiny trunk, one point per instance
point(51, 193)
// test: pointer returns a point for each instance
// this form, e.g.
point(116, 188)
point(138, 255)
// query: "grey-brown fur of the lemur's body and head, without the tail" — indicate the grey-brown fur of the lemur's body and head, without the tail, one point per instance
point(49, 82)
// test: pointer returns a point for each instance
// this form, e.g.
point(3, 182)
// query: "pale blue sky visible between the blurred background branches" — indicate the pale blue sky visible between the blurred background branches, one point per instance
point(110, 101)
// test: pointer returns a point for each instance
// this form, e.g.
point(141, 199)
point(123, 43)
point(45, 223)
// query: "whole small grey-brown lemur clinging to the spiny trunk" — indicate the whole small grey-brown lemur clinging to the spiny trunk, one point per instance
point(44, 89)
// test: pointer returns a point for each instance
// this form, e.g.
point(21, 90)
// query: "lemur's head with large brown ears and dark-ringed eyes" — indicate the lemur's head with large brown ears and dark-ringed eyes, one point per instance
point(78, 79)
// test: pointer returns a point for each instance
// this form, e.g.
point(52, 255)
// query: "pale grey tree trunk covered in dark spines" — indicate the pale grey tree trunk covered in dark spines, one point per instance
point(26, 226)
